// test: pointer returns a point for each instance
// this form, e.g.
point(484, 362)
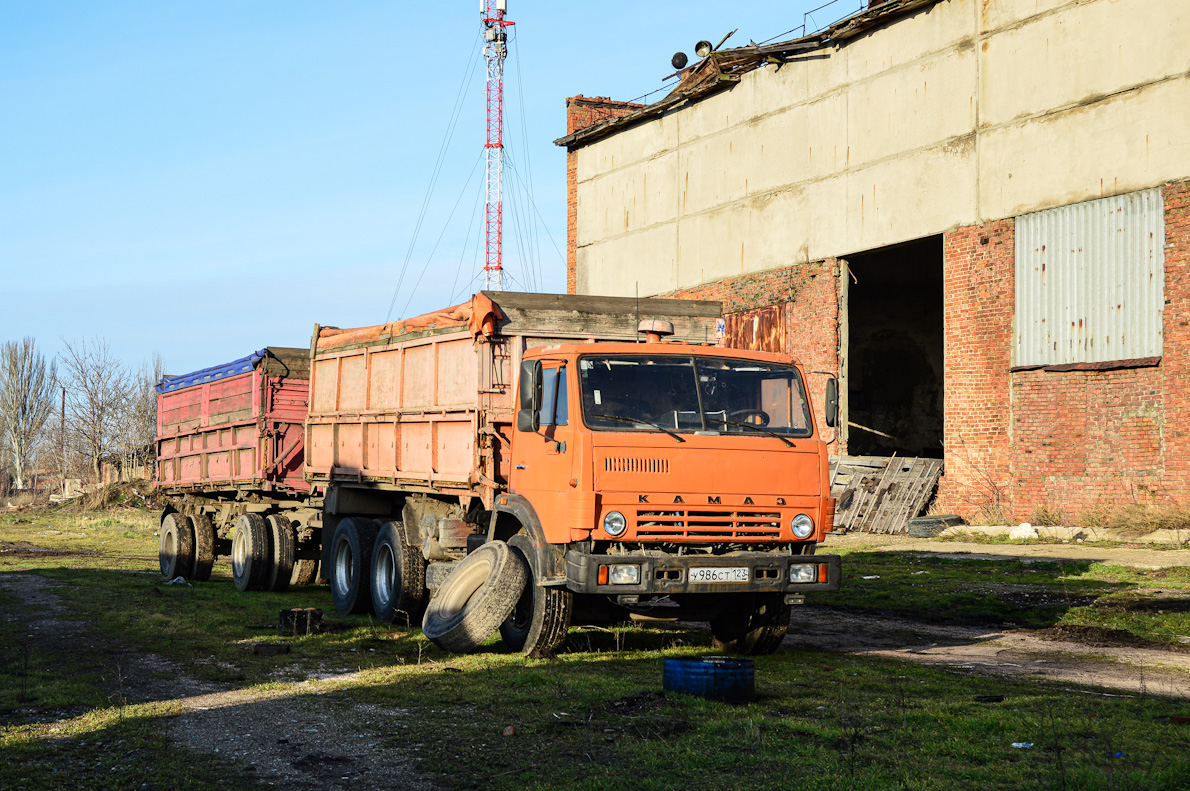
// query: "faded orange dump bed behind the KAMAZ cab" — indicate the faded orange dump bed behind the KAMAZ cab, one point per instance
point(427, 404)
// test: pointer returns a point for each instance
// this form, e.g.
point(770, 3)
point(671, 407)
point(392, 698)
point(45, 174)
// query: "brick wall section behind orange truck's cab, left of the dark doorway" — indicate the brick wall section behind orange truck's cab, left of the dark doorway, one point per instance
point(810, 299)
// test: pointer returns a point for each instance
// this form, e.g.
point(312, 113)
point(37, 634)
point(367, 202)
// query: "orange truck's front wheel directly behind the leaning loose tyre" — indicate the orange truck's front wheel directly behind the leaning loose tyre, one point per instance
point(542, 617)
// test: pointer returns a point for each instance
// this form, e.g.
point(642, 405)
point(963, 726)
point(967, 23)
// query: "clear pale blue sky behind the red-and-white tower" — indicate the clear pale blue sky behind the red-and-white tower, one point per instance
point(202, 180)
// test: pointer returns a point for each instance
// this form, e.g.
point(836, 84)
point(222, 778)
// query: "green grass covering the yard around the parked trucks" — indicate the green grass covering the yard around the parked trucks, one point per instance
point(596, 718)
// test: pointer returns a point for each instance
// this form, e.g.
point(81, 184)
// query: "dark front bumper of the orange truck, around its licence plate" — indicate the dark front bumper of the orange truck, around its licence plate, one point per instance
point(671, 574)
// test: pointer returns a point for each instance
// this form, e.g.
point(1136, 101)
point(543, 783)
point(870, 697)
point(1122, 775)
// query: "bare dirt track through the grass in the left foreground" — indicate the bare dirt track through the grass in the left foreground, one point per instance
point(330, 744)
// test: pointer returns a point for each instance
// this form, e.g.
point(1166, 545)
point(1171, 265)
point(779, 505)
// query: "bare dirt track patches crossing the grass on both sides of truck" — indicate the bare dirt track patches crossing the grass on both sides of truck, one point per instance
point(331, 744)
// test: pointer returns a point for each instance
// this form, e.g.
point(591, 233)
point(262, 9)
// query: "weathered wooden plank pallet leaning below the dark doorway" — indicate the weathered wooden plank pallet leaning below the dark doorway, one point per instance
point(879, 494)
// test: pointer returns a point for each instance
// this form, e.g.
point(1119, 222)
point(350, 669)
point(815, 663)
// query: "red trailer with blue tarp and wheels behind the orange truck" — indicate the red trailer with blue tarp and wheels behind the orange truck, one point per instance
point(230, 453)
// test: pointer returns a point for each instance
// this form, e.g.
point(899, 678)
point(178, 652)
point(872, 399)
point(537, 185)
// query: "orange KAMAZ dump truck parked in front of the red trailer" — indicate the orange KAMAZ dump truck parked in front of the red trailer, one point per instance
point(671, 478)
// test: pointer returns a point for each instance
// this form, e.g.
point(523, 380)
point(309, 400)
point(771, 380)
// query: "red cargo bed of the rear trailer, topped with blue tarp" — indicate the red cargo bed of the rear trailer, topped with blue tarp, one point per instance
point(239, 425)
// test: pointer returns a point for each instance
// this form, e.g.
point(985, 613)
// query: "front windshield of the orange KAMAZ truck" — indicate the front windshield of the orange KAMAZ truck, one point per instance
point(688, 394)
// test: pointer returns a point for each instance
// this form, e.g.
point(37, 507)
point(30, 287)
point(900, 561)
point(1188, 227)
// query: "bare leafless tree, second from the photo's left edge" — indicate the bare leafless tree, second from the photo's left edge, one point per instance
point(97, 393)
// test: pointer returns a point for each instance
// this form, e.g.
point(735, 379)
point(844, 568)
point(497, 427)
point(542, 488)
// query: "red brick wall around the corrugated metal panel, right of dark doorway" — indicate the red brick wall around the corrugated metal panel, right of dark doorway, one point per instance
point(1072, 442)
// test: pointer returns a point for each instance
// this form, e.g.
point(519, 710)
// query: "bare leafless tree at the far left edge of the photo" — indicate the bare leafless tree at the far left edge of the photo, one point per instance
point(28, 386)
